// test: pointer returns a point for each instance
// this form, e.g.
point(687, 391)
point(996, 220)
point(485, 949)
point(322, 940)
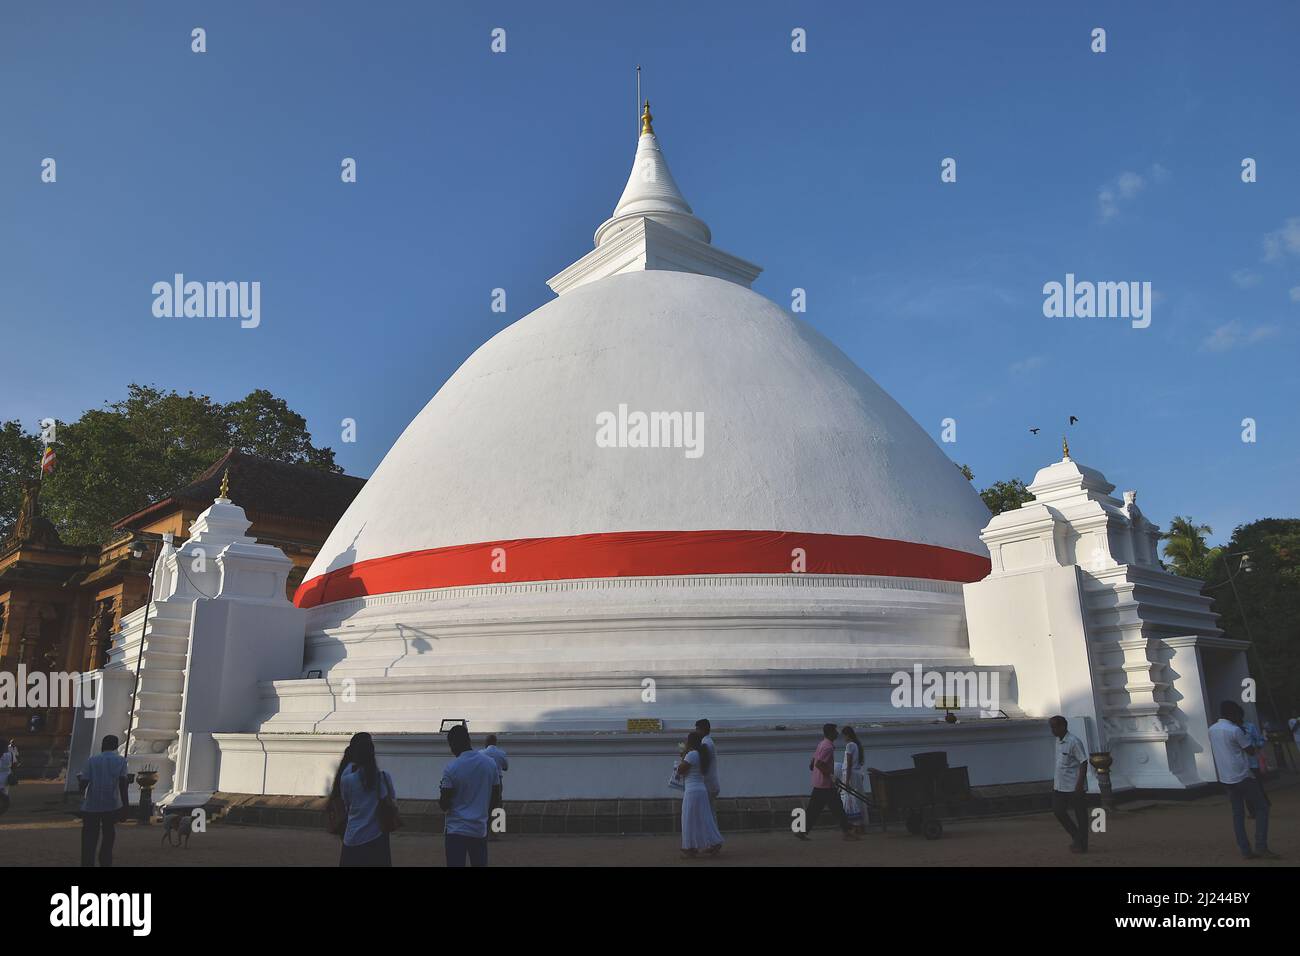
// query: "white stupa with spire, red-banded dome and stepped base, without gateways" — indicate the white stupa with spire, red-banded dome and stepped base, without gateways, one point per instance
point(506, 566)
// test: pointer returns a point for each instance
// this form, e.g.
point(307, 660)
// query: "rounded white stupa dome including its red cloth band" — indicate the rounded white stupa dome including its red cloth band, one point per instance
point(792, 438)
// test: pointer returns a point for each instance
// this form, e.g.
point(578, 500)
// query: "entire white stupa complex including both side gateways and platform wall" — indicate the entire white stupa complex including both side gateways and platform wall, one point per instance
point(661, 498)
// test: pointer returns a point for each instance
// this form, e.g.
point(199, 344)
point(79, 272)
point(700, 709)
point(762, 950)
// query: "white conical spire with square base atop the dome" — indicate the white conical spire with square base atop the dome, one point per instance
point(653, 227)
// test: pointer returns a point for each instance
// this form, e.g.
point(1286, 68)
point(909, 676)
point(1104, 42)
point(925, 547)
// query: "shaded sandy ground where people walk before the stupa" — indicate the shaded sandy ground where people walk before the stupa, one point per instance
point(41, 832)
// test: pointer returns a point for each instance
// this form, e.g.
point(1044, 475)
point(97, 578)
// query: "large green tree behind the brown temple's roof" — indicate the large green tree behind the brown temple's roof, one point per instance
point(118, 460)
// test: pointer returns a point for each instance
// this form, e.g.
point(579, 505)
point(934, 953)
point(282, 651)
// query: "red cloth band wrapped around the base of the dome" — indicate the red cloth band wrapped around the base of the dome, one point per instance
point(640, 555)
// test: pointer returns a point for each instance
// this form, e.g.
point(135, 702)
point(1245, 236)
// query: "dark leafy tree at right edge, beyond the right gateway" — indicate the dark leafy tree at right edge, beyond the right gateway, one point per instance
point(1266, 605)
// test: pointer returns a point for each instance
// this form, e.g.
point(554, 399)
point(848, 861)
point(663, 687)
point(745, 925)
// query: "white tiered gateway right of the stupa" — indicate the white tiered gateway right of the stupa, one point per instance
point(1100, 633)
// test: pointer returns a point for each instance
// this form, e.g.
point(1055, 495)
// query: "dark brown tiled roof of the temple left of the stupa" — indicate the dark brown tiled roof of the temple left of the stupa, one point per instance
point(266, 487)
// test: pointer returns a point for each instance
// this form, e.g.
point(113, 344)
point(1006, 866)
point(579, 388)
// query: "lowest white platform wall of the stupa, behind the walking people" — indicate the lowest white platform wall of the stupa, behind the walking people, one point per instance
point(561, 767)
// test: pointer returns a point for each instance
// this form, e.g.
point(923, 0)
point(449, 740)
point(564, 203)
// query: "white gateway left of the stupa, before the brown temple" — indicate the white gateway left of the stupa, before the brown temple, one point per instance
point(218, 624)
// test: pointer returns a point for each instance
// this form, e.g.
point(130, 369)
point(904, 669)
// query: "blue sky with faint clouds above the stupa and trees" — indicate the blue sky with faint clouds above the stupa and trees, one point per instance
point(479, 171)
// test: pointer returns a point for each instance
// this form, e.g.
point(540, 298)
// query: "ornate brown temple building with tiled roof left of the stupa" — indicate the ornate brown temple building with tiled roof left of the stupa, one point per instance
point(62, 605)
